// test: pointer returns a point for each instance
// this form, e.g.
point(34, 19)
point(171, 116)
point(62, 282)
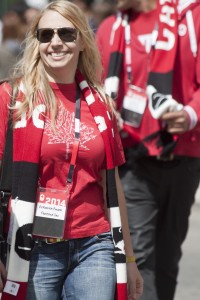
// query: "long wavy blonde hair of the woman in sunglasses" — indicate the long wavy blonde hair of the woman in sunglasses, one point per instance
point(30, 68)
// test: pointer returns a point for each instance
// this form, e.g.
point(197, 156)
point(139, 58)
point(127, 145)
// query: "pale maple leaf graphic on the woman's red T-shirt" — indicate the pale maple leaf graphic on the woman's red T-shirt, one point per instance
point(65, 130)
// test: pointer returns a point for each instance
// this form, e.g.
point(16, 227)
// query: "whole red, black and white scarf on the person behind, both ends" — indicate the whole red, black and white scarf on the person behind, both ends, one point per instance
point(160, 69)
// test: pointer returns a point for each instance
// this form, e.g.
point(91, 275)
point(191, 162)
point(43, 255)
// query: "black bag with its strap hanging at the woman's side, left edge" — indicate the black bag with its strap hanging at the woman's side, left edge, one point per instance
point(5, 186)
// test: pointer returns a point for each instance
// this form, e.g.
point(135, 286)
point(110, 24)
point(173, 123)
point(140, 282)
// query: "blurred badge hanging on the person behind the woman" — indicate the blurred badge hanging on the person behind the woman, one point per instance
point(134, 104)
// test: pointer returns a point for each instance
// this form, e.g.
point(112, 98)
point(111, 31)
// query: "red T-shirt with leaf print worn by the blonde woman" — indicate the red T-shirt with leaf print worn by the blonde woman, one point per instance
point(85, 215)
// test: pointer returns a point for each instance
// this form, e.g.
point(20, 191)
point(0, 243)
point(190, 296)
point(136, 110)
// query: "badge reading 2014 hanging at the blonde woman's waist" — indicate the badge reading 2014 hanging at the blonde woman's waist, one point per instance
point(51, 211)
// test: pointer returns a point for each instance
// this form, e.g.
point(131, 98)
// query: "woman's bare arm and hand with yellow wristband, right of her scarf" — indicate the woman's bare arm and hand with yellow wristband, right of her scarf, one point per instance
point(135, 281)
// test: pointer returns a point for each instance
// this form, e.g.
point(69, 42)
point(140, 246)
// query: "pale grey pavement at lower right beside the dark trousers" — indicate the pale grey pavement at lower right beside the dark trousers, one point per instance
point(189, 277)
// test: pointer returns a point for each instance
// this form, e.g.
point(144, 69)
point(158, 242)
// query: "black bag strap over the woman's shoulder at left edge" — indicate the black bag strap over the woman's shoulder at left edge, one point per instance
point(6, 164)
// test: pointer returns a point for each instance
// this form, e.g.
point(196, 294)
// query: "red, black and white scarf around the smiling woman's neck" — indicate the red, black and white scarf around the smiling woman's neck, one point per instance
point(27, 138)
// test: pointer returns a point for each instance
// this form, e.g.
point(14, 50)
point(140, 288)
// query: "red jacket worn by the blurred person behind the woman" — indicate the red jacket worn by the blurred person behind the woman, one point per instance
point(186, 78)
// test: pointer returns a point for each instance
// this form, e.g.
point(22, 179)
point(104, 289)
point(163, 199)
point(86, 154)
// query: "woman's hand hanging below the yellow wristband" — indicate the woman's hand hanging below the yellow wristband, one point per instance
point(135, 282)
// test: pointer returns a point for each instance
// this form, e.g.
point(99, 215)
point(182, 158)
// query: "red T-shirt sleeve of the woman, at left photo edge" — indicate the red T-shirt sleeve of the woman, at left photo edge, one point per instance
point(5, 90)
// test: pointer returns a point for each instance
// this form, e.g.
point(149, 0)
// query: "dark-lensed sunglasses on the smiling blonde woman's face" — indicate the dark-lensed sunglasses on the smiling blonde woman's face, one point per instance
point(66, 34)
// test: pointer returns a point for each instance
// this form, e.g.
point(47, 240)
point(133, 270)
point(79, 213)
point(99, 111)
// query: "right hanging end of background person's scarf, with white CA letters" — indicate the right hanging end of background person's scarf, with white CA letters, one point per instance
point(159, 86)
